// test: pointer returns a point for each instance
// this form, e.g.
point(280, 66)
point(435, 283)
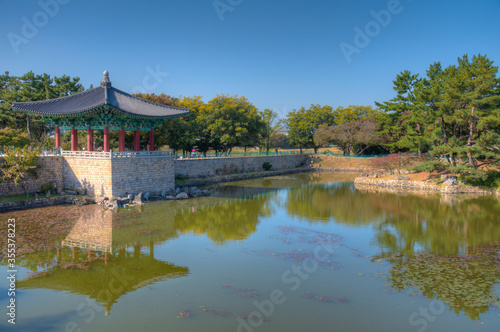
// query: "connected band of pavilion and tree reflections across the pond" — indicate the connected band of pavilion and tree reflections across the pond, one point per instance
point(442, 247)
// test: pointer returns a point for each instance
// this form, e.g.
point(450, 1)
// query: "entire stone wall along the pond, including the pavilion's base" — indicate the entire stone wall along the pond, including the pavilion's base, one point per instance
point(119, 176)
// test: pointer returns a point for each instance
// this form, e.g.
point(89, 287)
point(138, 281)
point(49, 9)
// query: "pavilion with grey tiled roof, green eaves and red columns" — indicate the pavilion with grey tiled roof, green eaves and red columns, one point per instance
point(103, 108)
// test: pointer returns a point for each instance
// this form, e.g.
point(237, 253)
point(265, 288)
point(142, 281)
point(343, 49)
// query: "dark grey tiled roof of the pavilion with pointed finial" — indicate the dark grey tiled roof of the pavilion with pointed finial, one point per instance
point(82, 102)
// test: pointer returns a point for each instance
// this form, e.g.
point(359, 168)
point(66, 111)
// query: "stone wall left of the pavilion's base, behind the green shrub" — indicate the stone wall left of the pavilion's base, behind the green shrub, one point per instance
point(51, 172)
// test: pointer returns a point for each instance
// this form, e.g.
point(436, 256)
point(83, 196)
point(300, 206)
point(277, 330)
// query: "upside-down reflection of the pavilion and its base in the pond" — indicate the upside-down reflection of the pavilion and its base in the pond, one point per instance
point(88, 272)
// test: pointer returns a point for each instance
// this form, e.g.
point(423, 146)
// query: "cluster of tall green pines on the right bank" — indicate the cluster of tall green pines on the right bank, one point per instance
point(452, 112)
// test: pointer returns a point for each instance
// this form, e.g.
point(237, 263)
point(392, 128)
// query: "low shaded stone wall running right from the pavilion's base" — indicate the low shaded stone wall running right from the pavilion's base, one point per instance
point(194, 168)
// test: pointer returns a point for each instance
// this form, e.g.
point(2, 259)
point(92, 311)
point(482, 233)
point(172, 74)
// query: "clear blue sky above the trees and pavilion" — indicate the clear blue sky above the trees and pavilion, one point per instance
point(280, 54)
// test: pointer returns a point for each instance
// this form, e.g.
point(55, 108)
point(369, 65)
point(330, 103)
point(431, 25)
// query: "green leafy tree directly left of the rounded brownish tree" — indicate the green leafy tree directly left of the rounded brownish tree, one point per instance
point(302, 124)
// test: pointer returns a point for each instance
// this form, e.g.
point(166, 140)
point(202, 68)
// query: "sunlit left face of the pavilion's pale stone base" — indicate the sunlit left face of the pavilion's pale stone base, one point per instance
point(91, 176)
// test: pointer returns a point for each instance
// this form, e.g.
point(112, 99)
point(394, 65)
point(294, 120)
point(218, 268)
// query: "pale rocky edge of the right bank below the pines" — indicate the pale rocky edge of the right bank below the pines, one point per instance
point(402, 184)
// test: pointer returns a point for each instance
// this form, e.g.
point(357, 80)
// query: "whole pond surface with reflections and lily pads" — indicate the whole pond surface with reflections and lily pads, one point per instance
point(289, 253)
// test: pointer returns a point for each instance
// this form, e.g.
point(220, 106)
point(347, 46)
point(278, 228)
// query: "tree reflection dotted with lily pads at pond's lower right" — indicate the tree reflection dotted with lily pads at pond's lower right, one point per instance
point(465, 282)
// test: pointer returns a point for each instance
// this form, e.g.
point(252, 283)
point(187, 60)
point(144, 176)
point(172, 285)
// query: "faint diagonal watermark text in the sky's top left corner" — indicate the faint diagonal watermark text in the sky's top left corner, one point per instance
point(29, 30)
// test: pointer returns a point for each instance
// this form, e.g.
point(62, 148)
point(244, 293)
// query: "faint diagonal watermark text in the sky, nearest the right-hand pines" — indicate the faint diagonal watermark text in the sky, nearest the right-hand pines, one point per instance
point(372, 29)
